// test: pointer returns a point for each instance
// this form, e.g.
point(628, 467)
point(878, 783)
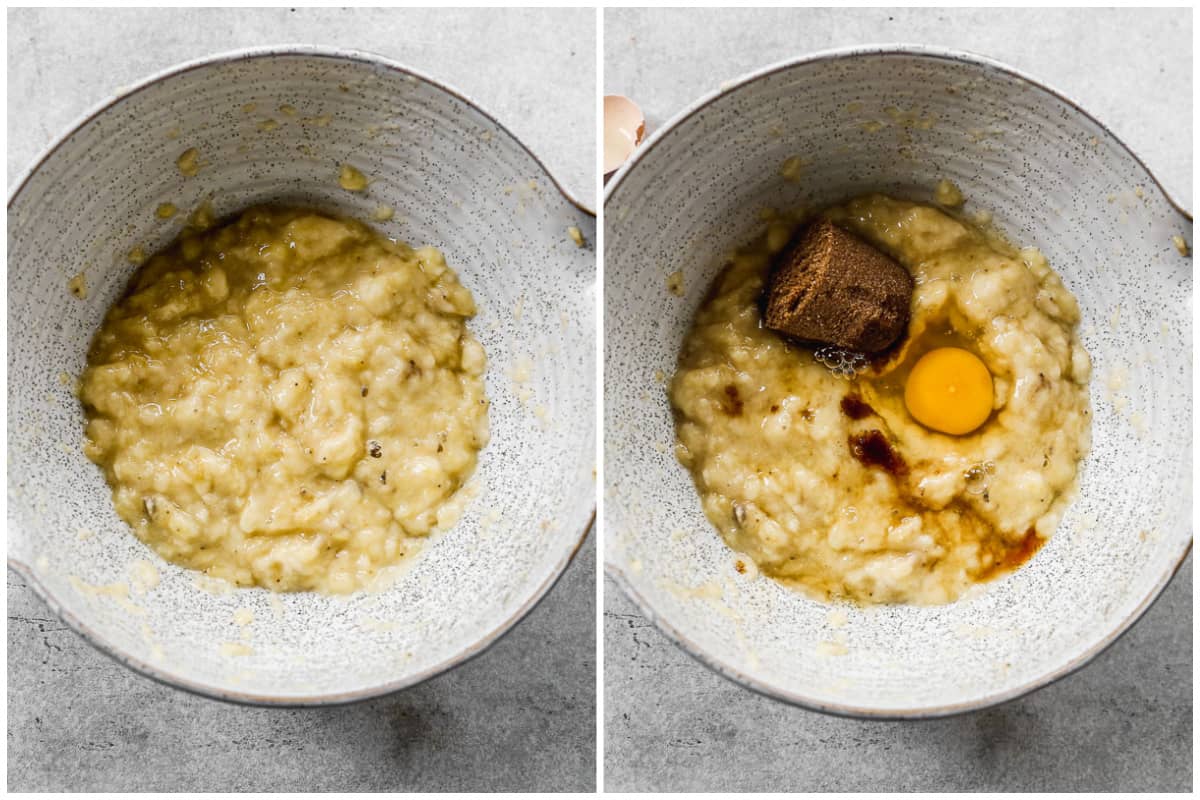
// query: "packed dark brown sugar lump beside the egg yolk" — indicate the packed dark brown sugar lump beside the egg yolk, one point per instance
point(833, 288)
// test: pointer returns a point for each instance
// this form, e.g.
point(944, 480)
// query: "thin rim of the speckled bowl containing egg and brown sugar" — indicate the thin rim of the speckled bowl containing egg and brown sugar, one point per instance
point(794, 699)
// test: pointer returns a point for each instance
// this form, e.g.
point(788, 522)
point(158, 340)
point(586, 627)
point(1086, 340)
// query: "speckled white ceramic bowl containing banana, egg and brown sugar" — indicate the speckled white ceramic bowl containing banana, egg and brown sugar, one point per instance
point(1055, 178)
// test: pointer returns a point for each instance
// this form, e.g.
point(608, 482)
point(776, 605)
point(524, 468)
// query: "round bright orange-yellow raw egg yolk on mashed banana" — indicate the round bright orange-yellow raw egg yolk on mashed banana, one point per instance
point(950, 390)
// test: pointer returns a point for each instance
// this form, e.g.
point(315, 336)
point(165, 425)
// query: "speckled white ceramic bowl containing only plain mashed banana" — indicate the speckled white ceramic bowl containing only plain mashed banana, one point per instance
point(273, 127)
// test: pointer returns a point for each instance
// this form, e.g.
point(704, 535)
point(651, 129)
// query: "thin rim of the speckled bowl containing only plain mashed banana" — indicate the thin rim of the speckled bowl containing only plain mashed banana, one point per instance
point(464, 655)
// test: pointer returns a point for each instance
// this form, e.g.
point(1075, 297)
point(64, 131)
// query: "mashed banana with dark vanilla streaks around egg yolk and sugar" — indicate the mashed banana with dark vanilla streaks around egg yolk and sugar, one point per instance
point(827, 483)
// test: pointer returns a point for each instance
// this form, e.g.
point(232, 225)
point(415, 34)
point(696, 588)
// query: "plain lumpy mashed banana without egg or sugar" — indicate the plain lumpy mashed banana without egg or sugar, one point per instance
point(287, 401)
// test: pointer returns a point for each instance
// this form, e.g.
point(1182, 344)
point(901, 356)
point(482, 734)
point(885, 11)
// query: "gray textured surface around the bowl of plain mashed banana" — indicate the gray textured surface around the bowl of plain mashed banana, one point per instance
point(521, 717)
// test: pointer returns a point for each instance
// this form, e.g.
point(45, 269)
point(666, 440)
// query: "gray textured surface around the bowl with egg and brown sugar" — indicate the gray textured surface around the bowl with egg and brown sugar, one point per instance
point(1123, 724)
